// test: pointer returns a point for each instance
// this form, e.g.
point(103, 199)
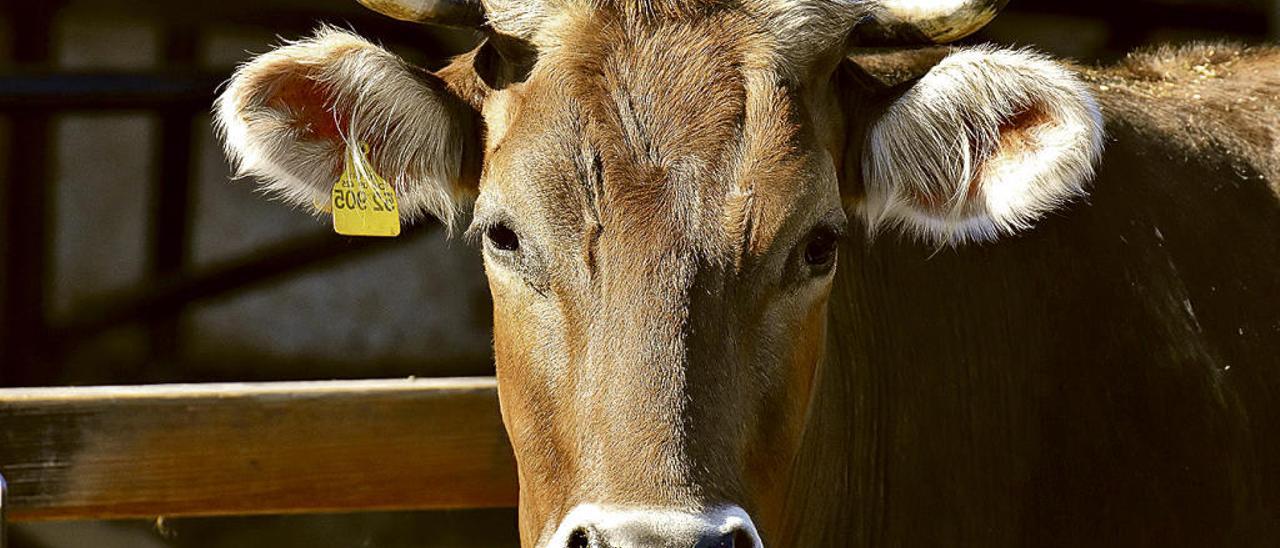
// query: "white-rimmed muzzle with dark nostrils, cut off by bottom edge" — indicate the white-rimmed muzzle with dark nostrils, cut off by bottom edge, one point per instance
point(596, 527)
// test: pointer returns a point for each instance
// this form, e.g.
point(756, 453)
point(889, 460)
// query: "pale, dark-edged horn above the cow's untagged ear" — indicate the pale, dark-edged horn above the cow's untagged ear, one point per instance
point(924, 22)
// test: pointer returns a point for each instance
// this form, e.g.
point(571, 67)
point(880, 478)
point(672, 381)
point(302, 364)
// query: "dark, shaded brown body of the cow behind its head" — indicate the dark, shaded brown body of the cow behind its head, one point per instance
point(1107, 380)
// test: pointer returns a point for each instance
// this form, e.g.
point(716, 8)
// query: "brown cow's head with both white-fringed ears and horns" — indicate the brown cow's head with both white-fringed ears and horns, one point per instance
point(660, 189)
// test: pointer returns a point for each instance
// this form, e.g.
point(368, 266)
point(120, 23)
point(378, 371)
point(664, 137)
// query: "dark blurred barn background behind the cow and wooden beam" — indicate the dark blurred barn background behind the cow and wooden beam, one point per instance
point(129, 257)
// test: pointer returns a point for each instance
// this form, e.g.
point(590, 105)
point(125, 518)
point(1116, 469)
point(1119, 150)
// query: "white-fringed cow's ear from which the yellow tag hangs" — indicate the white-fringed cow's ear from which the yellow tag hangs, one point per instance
point(287, 118)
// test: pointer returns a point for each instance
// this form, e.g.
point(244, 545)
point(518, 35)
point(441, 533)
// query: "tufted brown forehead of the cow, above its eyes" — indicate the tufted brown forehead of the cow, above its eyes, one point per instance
point(682, 131)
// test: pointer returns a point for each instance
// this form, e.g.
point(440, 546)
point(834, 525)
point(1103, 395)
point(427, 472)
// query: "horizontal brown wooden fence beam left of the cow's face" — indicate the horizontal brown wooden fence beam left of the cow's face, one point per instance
point(199, 450)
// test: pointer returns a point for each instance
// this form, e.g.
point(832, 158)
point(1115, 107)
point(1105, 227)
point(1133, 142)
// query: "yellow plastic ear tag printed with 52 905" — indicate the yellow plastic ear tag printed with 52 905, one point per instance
point(364, 204)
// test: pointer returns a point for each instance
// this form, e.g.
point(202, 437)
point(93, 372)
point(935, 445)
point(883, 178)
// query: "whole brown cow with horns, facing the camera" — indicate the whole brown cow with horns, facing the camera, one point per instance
point(1055, 318)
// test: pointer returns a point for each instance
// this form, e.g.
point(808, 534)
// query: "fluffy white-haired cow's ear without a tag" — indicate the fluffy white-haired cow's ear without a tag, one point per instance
point(981, 147)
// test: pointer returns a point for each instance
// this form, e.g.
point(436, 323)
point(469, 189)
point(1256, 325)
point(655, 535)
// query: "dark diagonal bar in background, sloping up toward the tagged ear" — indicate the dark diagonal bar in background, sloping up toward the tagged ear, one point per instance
point(167, 295)
